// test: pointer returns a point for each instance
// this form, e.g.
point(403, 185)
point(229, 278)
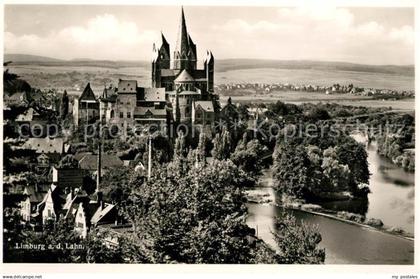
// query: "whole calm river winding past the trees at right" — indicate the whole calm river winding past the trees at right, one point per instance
point(391, 200)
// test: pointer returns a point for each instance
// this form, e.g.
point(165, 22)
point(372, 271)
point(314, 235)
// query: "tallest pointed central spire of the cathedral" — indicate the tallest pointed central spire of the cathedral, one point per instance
point(185, 54)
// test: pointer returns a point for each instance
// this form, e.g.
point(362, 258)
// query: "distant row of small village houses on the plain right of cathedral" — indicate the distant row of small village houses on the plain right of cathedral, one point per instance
point(227, 89)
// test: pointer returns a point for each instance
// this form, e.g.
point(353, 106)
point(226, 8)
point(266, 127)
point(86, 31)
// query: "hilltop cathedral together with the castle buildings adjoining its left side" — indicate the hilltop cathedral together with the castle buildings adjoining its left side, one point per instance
point(180, 92)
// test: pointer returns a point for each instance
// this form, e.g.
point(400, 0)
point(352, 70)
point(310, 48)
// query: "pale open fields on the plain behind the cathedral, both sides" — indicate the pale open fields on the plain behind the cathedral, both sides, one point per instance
point(74, 75)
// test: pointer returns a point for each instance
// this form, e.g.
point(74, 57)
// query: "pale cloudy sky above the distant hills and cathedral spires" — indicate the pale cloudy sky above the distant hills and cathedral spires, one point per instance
point(358, 35)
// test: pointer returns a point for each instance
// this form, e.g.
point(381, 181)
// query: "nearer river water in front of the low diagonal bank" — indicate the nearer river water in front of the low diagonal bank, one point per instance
point(344, 243)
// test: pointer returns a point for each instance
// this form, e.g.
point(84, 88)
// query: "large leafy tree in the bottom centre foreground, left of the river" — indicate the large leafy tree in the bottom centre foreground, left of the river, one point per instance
point(196, 217)
